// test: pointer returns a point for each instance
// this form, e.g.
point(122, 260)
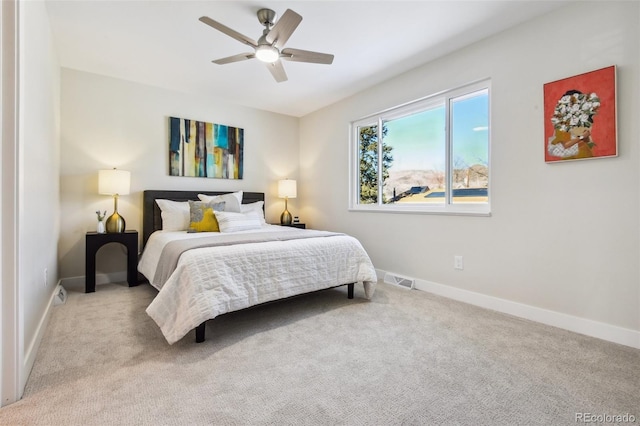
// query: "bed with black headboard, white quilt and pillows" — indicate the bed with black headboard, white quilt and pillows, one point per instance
point(202, 275)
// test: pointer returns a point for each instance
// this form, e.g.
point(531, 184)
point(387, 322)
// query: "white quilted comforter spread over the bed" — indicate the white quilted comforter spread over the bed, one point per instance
point(212, 281)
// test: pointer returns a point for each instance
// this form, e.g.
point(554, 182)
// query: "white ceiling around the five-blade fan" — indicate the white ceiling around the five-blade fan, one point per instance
point(162, 43)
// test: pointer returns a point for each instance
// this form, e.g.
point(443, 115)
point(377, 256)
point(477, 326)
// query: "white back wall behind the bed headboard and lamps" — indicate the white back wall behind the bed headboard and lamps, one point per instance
point(108, 123)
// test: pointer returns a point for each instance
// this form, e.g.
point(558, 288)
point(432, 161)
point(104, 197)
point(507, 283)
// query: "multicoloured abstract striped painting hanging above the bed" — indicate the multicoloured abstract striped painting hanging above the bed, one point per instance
point(201, 149)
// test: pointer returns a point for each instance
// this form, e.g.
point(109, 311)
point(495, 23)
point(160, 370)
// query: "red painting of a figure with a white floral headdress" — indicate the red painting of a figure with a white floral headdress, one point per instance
point(580, 116)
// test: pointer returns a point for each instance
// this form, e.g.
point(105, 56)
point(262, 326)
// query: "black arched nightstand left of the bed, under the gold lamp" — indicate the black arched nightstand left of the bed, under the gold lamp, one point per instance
point(94, 241)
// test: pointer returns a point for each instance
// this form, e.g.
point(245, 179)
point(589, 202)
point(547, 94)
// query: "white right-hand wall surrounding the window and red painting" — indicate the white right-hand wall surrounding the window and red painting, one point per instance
point(562, 237)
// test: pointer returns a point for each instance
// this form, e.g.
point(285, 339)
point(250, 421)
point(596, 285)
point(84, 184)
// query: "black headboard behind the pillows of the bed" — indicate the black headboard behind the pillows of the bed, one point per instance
point(151, 214)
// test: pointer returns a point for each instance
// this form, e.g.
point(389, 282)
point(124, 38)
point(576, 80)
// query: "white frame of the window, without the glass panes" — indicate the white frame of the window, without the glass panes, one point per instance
point(444, 97)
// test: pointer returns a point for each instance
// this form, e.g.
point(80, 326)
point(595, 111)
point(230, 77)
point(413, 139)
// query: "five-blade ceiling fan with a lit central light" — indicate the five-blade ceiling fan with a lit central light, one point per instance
point(269, 47)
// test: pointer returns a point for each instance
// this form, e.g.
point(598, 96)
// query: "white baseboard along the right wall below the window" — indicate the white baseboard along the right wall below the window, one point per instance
point(600, 330)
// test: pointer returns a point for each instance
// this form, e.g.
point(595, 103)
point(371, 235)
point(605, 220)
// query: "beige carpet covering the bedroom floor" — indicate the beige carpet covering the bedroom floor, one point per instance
point(405, 357)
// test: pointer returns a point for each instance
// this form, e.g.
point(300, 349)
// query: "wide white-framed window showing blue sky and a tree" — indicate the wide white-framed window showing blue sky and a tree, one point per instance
point(431, 155)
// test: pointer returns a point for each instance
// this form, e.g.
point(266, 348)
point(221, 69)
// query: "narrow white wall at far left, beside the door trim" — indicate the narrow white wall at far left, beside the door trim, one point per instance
point(37, 181)
